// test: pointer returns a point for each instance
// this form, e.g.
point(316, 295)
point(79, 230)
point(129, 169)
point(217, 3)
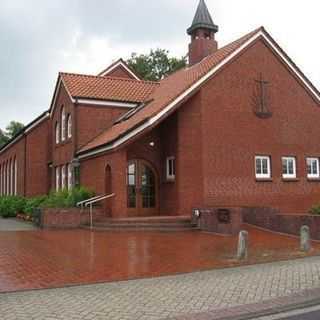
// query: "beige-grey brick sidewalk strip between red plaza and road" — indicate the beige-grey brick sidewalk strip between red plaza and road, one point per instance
point(166, 297)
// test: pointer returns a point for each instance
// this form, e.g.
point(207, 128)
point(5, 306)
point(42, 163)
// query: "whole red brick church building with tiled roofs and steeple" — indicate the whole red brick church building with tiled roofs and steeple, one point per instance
point(235, 128)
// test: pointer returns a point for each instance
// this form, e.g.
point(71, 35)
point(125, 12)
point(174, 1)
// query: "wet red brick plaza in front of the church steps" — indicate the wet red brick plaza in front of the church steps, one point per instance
point(48, 259)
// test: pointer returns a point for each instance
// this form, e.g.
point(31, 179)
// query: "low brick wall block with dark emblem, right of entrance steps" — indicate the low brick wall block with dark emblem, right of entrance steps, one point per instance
point(209, 221)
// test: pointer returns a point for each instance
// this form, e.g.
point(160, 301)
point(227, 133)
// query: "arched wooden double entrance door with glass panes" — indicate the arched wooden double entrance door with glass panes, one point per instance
point(142, 183)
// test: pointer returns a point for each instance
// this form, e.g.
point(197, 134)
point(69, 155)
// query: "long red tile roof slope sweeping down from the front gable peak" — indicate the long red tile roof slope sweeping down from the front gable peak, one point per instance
point(169, 89)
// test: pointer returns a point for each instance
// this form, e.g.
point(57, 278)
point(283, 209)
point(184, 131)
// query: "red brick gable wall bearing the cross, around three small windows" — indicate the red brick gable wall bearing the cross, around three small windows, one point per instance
point(232, 135)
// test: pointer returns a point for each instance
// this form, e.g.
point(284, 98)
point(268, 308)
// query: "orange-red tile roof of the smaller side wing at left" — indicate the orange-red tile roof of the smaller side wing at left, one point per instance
point(107, 88)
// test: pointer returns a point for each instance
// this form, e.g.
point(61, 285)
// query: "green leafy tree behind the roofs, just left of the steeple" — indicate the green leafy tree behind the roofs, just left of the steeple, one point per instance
point(156, 65)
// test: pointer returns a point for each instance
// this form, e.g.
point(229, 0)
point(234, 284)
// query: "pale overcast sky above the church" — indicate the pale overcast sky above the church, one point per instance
point(39, 38)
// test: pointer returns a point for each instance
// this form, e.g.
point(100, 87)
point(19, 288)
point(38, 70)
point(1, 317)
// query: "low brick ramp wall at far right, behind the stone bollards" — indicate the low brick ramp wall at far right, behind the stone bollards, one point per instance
point(271, 219)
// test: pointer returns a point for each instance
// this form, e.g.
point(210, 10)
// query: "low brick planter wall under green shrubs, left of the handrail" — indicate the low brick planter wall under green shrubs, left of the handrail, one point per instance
point(54, 218)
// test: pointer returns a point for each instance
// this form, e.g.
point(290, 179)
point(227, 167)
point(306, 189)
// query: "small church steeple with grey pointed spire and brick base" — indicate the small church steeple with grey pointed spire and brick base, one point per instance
point(202, 32)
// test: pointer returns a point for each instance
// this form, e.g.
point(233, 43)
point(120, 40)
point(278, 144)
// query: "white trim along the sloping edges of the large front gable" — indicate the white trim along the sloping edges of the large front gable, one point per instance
point(196, 85)
